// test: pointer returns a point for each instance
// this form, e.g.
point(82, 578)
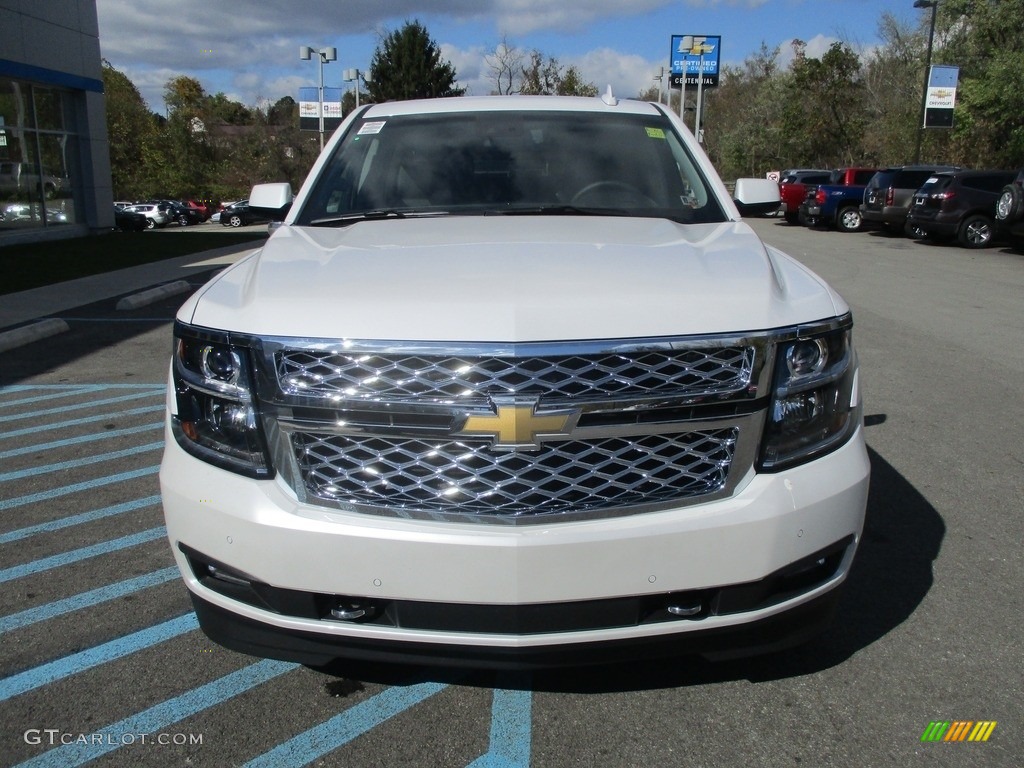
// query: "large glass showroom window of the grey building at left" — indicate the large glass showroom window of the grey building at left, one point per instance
point(38, 151)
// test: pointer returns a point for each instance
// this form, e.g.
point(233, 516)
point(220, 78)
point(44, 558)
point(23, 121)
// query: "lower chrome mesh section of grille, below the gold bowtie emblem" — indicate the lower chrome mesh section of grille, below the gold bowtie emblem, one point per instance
point(456, 479)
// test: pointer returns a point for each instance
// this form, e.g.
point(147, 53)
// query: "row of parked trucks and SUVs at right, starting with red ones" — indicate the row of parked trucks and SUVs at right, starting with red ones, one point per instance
point(973, 207)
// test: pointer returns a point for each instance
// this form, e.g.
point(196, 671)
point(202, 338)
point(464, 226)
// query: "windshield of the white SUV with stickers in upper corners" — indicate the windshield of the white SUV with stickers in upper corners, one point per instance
point(575, 163)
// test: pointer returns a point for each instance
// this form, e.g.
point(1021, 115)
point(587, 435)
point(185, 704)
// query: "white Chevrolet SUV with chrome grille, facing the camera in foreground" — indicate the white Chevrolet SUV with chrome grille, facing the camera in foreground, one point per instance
point(513, 385)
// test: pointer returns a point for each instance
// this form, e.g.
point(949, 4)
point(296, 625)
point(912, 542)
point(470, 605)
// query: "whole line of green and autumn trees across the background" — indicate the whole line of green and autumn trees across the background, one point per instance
point(842, 109)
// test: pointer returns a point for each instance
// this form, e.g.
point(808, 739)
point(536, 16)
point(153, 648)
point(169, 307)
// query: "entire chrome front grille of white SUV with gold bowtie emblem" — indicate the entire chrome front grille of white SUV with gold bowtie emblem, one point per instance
point(514, 434)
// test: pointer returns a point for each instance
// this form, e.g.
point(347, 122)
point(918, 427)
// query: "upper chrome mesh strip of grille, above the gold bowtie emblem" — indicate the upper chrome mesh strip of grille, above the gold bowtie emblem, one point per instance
point(638, 373)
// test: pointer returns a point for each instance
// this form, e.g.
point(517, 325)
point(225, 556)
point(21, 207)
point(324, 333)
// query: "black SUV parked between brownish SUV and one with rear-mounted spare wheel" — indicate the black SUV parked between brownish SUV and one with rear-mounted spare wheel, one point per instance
point(959, 204)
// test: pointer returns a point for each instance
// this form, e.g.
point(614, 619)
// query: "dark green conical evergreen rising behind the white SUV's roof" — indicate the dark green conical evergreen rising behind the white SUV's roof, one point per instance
point(408, 65)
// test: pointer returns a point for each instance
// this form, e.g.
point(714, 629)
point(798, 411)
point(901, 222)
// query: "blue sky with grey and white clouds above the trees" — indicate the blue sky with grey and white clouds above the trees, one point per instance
point(249, 50)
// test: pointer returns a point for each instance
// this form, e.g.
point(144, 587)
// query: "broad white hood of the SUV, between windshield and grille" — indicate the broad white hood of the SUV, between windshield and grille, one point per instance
point(511, 279)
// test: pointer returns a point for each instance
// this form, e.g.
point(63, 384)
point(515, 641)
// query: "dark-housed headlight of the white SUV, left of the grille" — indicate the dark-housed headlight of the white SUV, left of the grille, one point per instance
point(217, 417)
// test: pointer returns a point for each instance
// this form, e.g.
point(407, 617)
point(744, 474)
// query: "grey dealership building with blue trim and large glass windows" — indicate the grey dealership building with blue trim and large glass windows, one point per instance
point(55, 153)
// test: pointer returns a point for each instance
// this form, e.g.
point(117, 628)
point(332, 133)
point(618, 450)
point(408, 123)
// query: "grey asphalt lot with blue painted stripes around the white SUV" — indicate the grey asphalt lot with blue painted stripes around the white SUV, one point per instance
point(100, 647)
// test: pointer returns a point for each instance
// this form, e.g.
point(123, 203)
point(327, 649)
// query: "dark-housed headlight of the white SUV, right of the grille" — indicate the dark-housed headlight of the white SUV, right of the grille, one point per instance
point(816, 405)
